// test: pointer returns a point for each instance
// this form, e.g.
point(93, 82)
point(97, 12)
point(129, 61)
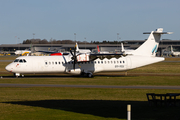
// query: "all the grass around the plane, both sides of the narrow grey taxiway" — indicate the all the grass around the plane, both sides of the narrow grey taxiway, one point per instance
point(90, 103)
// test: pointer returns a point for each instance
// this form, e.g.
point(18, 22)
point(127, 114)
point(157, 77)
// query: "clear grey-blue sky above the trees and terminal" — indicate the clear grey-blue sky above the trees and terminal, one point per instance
point(95, 20)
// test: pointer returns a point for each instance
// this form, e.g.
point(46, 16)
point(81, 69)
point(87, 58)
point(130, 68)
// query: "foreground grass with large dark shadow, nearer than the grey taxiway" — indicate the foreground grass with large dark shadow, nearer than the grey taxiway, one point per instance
point(80, 103)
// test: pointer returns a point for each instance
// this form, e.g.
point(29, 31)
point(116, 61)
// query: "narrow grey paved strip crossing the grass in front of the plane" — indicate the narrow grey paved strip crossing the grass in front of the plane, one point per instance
point(88, 86)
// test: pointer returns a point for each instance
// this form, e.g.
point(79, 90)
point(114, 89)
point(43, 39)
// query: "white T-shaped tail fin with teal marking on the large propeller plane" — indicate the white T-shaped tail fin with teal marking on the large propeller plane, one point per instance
point(150, 46)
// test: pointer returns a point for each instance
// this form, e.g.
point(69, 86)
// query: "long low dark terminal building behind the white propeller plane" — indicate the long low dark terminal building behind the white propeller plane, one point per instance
point(112, 48)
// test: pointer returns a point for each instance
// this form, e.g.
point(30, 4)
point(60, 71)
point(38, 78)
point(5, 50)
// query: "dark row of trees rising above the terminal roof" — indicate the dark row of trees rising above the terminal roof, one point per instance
point(44, 41)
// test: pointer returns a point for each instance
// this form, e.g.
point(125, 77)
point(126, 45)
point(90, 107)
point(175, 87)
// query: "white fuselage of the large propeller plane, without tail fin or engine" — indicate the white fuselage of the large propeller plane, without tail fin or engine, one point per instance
point(64, 64)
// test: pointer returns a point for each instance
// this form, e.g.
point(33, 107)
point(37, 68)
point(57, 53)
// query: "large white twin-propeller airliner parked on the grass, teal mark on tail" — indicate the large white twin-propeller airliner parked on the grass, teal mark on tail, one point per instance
point(89, 63)
